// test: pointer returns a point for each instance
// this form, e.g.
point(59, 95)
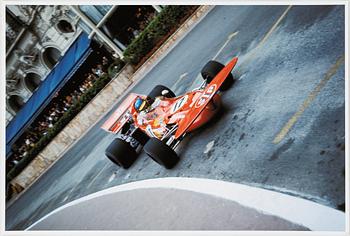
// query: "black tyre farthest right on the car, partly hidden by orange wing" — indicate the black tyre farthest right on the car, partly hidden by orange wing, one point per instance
point(211, 69)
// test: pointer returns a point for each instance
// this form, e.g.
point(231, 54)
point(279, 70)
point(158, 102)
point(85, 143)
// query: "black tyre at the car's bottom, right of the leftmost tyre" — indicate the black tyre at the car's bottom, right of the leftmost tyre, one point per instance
point(161, 153)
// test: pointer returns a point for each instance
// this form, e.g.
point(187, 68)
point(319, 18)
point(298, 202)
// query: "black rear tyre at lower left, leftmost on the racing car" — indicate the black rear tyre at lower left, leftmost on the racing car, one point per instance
point(121, 153)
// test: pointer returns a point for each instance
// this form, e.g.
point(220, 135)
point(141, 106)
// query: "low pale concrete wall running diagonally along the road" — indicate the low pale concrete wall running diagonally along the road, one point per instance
point(100, 105)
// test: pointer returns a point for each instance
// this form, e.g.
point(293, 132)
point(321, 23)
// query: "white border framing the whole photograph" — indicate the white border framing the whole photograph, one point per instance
point(167, 2)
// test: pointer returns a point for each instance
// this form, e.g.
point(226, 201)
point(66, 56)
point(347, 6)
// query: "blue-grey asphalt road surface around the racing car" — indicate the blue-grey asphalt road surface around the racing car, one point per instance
point(283, 123)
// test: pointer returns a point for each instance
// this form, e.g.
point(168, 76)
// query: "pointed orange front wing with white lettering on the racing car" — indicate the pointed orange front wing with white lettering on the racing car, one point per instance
point(205, 98)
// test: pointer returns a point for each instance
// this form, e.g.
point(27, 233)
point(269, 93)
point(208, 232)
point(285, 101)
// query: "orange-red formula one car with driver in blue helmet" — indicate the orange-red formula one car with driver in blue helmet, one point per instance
point(159, 121)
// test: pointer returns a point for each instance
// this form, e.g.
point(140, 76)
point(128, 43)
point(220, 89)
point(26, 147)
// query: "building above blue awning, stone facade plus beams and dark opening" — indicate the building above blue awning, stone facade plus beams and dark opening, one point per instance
point(38, 36)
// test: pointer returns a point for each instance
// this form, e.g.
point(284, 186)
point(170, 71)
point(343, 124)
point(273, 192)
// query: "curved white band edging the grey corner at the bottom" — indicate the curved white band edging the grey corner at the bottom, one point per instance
point(312, 215)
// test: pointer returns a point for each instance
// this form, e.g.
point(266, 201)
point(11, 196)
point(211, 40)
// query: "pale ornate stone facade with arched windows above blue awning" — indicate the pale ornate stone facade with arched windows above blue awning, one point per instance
point(36, 38)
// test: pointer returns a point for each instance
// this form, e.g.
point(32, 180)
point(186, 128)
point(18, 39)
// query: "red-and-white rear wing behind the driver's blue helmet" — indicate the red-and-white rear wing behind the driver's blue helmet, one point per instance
point(116, 121)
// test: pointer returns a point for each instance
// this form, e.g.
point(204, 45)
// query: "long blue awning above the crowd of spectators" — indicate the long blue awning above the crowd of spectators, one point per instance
point(59, 75)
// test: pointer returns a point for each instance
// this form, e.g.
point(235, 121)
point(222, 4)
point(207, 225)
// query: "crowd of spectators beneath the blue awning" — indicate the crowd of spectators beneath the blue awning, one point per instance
point(59, 105)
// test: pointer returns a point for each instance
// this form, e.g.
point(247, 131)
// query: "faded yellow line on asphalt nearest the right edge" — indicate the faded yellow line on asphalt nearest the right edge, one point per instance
point(308, 100)
